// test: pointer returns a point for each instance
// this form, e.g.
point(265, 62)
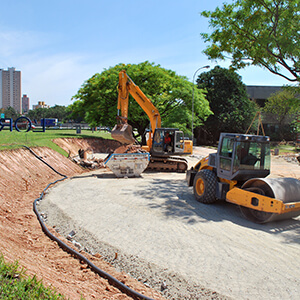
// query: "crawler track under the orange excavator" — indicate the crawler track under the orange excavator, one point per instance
point(168, 164)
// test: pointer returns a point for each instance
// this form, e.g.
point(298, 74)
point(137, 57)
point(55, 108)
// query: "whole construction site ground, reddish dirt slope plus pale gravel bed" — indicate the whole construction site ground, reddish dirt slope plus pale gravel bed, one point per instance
point(148, 232)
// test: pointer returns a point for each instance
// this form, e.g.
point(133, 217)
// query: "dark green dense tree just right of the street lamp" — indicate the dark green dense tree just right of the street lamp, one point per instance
point(232, 110)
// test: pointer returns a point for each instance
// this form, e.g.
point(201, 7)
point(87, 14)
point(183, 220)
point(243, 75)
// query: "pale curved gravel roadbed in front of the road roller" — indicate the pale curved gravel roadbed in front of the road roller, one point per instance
point(152, 228)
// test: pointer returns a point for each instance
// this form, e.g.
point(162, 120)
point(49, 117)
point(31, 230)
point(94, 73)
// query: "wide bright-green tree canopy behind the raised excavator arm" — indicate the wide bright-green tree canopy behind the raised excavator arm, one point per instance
point(171, 94)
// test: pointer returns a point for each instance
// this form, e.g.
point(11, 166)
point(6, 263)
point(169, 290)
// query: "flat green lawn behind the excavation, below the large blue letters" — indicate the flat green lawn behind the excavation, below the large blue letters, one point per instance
point(14, 139)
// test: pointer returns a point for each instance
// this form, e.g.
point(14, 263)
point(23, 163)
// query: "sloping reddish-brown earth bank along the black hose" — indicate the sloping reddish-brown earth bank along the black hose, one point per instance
point(22, 178)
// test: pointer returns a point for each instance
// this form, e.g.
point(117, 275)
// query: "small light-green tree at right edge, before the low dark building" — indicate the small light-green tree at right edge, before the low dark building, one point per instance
point(284, 108)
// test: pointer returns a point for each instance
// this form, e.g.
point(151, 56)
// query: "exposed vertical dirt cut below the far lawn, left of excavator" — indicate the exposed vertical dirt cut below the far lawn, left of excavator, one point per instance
point(96, 145)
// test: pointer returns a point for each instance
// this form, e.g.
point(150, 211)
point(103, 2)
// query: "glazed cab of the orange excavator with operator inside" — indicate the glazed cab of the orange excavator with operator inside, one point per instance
point(167, 141)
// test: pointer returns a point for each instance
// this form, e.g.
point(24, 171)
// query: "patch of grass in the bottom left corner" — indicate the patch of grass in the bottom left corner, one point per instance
point(14, 284)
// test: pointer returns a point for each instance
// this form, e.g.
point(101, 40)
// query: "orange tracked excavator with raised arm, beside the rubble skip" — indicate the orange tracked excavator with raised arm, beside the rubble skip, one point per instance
point(163, 144)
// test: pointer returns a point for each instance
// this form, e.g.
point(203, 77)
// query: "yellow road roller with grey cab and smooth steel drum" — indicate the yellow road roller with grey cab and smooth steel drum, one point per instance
point(236, 173)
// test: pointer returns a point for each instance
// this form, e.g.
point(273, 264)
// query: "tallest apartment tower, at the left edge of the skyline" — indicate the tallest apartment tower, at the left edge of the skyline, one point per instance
point(10, 89)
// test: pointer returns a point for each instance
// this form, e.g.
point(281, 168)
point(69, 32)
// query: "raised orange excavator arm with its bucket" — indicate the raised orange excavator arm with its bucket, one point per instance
point(122, 131)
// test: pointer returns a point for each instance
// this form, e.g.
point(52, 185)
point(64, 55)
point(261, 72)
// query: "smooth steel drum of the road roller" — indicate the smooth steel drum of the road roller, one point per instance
point(284, 189)
